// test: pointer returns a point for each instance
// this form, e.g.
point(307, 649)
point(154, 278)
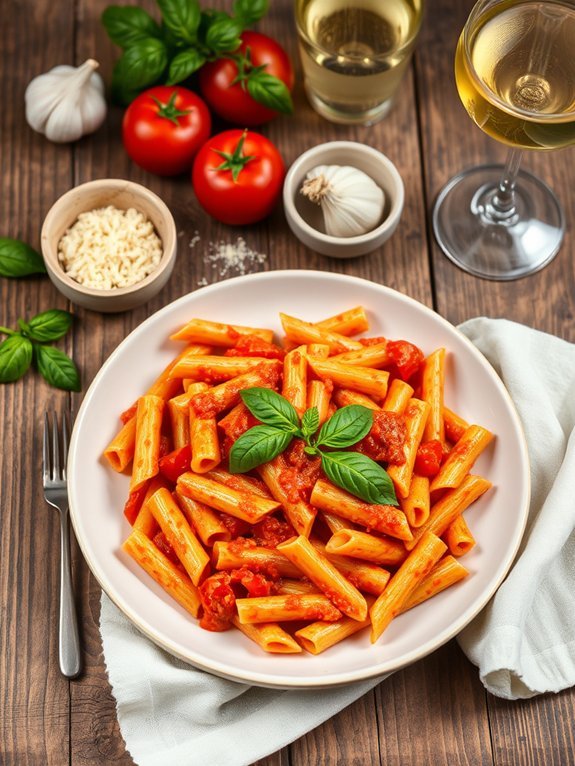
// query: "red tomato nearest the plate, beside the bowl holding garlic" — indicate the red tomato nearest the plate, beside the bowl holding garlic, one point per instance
point(238, 176)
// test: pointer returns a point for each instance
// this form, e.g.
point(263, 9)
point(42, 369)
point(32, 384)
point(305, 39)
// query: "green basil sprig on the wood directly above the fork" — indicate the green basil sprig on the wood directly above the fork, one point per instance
point(29, 344)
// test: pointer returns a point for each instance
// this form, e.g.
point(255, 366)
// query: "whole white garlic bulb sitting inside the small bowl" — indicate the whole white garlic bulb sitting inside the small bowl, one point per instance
point(351, 202)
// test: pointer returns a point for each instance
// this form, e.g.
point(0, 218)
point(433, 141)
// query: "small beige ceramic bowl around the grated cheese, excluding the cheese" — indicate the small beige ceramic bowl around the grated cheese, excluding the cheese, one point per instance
point(123, 195)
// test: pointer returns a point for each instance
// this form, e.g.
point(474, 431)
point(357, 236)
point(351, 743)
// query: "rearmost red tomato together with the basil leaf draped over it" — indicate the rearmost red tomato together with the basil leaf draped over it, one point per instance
point(252, 85)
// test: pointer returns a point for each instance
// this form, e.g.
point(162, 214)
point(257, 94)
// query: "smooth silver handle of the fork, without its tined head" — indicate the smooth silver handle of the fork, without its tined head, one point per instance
point(69, 639)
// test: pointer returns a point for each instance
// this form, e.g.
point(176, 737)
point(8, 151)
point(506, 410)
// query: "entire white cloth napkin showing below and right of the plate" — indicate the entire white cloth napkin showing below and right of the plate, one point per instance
point(523, 642)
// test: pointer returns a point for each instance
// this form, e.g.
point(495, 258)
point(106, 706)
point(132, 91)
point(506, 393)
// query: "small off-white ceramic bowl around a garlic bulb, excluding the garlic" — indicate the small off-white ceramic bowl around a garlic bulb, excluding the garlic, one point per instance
point(305, 218)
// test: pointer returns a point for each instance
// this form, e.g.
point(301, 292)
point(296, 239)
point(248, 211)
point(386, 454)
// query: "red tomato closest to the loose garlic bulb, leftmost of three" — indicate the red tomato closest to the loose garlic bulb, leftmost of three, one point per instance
point(163, 129)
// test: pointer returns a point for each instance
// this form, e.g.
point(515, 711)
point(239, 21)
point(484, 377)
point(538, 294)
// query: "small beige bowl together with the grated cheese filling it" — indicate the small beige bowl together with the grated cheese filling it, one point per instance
point(109, 245)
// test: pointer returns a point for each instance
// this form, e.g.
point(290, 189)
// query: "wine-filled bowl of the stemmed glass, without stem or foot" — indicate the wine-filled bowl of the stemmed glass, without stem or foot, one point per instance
point(518, 82)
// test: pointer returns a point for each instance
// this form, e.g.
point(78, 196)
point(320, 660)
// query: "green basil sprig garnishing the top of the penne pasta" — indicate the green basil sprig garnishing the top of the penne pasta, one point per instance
point(352, 471)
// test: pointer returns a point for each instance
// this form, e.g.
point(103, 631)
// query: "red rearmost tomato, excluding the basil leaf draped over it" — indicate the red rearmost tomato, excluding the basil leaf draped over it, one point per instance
point(224, 84)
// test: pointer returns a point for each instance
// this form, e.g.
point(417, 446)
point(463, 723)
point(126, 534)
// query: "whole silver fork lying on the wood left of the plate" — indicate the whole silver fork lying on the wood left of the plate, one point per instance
point(56, 495)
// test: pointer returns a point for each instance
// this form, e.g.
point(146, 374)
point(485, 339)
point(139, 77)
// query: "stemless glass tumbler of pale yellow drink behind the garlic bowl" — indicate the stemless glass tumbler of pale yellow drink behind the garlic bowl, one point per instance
point(355, 52)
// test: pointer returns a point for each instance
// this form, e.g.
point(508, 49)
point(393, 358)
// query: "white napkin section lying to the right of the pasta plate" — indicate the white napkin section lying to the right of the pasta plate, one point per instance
point(524, 640)
